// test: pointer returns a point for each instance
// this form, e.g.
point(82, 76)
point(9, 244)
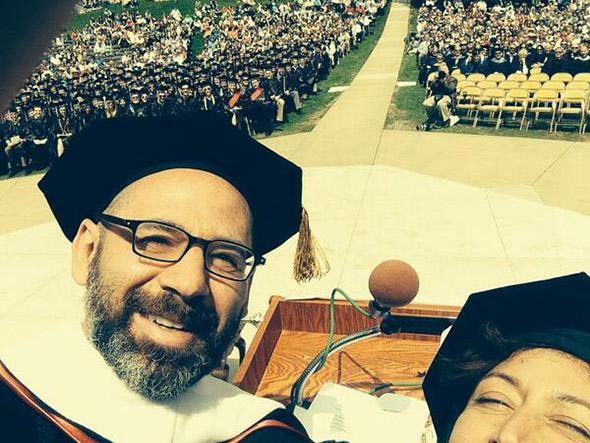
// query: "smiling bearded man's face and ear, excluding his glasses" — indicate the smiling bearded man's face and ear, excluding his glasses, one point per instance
point(162, 326)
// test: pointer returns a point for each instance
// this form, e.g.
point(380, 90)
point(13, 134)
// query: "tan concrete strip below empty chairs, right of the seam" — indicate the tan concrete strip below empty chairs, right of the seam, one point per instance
point(555, 173)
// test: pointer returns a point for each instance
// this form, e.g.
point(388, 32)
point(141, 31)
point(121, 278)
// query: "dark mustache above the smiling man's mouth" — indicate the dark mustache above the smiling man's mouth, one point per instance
point(196, 318)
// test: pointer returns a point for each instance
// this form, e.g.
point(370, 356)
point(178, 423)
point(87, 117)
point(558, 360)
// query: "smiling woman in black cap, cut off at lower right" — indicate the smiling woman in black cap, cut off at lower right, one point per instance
point(515, 367)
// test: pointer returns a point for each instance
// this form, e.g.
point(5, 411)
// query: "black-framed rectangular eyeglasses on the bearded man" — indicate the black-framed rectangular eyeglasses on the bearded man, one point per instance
point(165, 243)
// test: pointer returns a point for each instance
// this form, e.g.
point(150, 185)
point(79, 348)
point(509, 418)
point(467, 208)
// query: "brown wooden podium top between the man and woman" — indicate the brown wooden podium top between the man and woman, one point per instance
point(294, 331)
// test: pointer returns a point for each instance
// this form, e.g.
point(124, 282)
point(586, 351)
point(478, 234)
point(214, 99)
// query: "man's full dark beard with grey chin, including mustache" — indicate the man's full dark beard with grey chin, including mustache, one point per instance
point(154, 371)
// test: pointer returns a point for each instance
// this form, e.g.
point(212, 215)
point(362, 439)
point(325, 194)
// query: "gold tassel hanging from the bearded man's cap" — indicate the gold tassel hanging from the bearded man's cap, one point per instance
point(310, 260)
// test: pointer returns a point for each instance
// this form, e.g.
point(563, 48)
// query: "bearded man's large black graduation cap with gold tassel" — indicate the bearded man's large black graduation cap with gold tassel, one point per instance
point(76, 187)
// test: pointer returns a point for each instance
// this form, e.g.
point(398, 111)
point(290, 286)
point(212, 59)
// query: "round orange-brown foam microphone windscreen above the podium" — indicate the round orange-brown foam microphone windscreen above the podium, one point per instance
point(393, 283)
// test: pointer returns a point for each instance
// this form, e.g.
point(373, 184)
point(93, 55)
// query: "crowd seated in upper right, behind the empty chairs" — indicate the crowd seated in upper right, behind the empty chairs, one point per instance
point(505, 37)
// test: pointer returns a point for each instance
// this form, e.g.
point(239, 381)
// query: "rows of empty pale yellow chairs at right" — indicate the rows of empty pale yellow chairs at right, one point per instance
point(569, 107)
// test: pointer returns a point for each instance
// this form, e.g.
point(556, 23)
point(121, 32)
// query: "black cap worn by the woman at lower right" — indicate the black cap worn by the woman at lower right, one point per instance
point(549, 313)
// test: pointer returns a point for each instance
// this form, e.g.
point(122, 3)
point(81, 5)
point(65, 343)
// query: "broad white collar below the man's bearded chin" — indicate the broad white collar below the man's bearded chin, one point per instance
point(68, 374)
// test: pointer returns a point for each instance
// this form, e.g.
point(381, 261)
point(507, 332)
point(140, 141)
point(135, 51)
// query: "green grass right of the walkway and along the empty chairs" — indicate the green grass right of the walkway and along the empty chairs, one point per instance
point(406, 110)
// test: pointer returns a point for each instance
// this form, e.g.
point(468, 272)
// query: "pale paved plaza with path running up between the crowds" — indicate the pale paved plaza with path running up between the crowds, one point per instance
point(468, 212)
